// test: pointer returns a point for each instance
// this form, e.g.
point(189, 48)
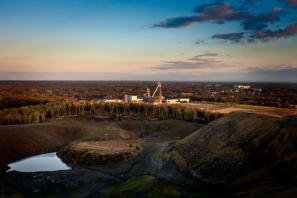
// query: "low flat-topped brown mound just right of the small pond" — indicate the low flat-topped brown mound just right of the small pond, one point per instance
point(100, 152)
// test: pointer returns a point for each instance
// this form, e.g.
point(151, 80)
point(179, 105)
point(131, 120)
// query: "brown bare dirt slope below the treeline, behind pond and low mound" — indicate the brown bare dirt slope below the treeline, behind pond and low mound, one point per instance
point(20, 141)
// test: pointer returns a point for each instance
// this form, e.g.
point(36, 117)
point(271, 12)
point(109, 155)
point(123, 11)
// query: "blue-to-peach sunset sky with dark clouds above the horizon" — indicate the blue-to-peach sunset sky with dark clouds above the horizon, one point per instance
point(172, 40)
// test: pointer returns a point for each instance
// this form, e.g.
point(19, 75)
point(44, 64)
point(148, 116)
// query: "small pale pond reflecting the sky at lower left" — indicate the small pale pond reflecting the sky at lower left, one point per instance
point(39, 163)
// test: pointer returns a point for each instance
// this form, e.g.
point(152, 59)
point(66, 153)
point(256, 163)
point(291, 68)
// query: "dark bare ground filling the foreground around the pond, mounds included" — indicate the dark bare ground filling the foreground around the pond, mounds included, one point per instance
point(242, 154)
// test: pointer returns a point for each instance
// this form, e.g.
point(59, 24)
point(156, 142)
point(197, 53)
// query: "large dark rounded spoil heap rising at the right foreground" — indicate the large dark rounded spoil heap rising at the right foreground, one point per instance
point(243, 151)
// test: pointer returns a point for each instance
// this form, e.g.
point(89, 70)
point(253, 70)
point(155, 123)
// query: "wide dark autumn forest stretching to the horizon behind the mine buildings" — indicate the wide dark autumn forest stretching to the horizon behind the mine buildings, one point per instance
point(283, 95)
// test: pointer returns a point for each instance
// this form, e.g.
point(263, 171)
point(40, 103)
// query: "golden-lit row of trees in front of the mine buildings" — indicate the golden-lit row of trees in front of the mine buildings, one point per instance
point(113, 111)
